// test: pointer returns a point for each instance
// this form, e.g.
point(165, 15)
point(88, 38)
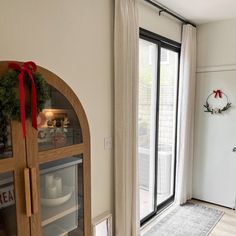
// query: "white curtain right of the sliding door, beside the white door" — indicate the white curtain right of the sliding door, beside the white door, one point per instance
point(186, 114)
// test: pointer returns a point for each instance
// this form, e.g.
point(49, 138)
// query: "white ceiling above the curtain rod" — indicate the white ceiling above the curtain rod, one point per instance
point(202, 11)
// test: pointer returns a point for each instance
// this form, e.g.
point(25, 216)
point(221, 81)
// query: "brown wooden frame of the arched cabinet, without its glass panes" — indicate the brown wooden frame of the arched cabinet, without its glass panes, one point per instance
point(26, 155)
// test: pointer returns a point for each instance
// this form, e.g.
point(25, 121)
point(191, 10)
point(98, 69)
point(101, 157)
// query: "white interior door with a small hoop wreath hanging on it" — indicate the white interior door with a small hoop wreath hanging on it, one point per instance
point(214, 178)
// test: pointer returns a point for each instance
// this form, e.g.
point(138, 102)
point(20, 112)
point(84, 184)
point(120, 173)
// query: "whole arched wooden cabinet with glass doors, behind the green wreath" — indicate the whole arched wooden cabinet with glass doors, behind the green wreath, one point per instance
point(45, 178)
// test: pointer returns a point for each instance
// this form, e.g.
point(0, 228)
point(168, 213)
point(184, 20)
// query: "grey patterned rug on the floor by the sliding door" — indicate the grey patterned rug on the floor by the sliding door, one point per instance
point(187, 220)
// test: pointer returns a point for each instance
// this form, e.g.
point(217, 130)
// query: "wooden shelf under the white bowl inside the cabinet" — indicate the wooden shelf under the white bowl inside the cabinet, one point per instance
point(51, 214)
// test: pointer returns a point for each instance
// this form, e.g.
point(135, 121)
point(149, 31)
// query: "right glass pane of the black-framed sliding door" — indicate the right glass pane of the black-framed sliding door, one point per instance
point(167, 124)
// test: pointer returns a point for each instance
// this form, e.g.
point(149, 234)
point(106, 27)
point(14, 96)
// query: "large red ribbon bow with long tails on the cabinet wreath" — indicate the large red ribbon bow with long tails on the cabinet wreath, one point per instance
point(26, 69)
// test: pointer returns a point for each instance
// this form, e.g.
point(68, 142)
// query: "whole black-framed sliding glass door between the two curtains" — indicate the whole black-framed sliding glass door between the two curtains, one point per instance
point(157, 118)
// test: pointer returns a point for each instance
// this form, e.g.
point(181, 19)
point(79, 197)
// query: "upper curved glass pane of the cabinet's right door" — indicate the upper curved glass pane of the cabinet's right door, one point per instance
point(58, 125)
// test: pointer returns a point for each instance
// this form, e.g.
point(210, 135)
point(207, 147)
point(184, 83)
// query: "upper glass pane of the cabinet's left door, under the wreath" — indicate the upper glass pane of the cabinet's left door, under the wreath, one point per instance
point(5, 140)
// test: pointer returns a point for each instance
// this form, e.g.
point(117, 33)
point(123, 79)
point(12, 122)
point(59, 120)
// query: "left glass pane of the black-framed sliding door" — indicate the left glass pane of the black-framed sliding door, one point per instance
point(146, 125)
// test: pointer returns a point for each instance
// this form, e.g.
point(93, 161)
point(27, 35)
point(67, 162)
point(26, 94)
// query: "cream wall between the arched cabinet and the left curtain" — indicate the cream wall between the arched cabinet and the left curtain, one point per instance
point(74, 39)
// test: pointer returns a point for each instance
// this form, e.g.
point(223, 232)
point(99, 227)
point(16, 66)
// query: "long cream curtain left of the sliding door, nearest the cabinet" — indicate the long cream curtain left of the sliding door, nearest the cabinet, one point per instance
point(126, 84)
